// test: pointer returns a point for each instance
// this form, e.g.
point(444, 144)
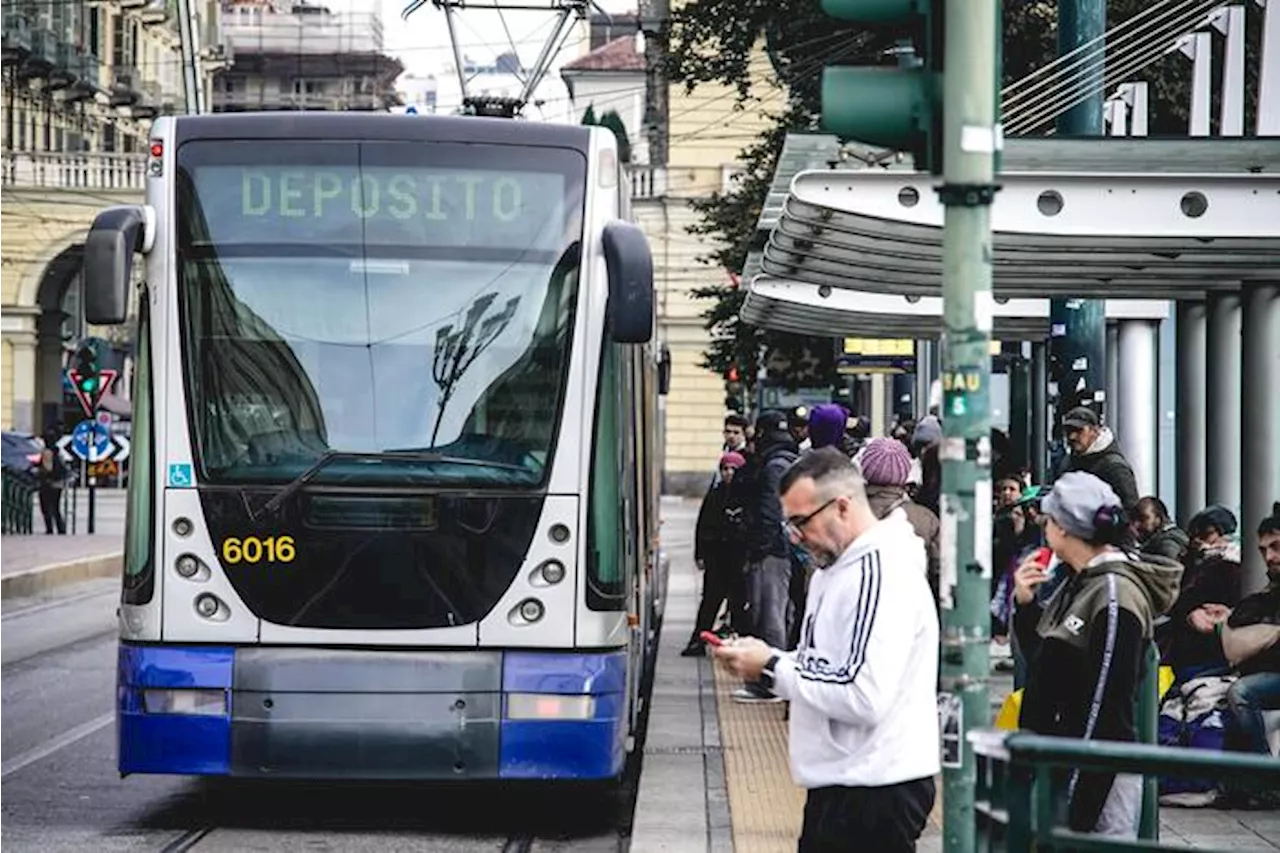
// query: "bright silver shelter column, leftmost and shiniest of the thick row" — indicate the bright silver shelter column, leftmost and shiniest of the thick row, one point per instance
point(1139, 403)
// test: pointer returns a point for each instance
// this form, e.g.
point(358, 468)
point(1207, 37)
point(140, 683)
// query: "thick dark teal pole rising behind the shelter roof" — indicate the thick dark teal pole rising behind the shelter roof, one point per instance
point(1078, 348)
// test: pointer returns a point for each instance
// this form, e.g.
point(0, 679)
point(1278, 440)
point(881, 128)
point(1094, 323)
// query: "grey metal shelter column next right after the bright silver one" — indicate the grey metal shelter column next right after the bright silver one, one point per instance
point(1192, 398)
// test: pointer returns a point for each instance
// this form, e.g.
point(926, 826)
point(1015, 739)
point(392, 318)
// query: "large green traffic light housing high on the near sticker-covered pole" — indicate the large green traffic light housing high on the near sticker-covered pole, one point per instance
point(898, 108)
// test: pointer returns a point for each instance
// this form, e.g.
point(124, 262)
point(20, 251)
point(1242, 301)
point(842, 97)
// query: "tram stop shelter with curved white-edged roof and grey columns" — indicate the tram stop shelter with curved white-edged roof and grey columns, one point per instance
point(1137, 222)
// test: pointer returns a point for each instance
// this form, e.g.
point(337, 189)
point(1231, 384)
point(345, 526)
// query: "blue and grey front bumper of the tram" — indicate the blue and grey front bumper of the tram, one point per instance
point(340, 714)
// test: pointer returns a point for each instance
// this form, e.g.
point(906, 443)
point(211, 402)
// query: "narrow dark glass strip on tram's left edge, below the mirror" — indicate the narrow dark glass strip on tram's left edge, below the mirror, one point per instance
point(140, 522)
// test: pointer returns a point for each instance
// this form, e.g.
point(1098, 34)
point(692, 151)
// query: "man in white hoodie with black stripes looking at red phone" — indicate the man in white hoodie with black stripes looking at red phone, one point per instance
point(862, 685)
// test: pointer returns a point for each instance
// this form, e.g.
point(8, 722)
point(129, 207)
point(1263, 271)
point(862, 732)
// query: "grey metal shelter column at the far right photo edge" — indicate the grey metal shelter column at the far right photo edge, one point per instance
point(1260, 430)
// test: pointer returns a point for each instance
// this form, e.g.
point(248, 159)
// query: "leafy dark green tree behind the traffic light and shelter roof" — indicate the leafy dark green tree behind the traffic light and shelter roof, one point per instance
point(716, 42)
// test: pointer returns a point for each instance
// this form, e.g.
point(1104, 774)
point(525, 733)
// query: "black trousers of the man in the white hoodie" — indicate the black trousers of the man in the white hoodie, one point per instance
point(867, 820)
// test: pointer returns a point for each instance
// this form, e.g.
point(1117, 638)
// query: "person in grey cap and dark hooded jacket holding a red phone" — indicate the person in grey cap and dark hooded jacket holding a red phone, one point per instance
point(1086, 646)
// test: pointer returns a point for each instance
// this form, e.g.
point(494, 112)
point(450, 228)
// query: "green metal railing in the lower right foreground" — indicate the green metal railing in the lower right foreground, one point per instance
point(1017, 797)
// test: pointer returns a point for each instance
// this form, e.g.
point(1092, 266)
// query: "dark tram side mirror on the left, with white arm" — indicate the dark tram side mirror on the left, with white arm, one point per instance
point(116, 236)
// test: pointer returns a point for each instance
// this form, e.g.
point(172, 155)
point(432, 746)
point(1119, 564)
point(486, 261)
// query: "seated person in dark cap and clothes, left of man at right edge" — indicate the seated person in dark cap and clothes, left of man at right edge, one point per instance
point(1213, 578)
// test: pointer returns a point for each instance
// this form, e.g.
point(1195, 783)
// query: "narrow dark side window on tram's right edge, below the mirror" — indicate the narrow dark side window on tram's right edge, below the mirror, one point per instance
point(606, 527)
